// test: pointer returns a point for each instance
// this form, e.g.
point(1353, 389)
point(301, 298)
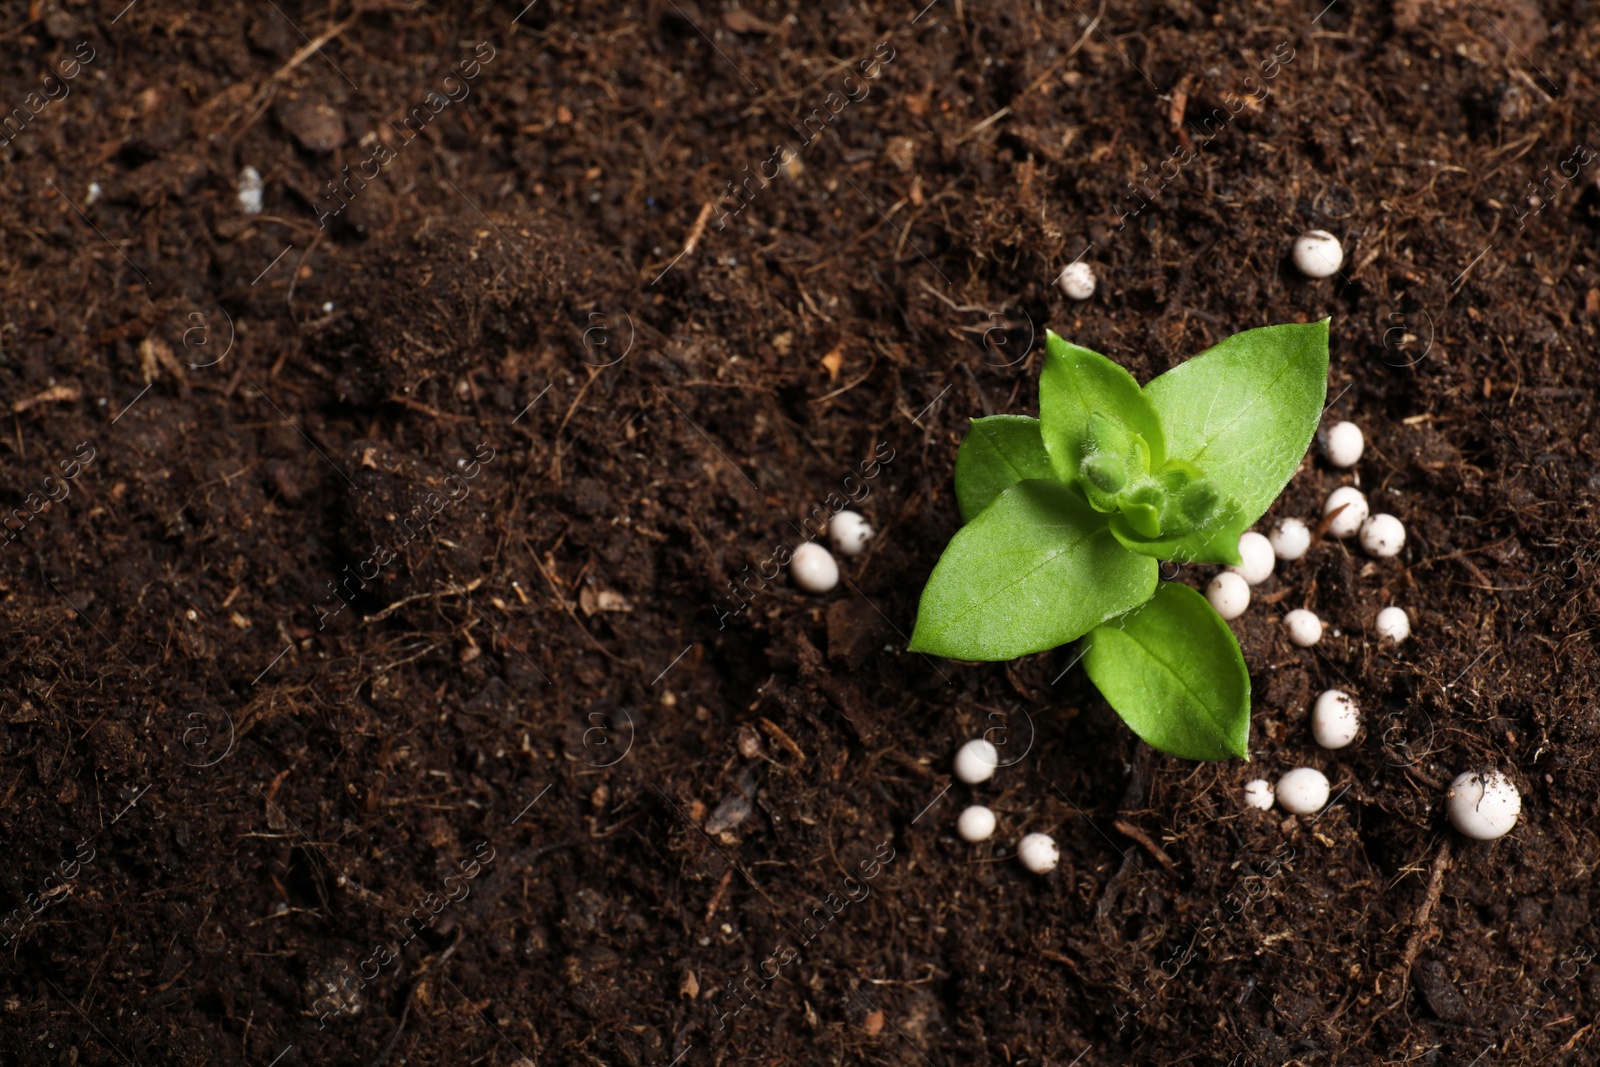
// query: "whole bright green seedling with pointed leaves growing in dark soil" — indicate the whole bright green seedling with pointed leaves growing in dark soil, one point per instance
point(1068, 516)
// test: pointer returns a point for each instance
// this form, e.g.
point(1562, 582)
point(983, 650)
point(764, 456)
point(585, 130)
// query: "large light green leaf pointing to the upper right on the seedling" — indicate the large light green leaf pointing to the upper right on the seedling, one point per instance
point(1246, 410)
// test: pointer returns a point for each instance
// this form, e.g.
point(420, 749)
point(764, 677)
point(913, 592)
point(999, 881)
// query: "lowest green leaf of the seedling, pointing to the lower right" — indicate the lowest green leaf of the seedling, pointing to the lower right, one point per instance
point(1174, 671)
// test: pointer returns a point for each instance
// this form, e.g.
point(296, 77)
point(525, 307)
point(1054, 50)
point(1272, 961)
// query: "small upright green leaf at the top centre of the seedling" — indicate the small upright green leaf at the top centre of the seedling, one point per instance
point(1078, 386)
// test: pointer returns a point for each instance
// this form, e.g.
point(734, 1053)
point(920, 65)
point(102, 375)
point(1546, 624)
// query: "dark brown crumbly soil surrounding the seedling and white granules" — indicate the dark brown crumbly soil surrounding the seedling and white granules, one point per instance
point(223, 785)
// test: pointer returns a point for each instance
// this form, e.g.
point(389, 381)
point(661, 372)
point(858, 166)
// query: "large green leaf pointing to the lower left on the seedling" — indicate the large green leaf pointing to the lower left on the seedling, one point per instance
point(1036, 570)
